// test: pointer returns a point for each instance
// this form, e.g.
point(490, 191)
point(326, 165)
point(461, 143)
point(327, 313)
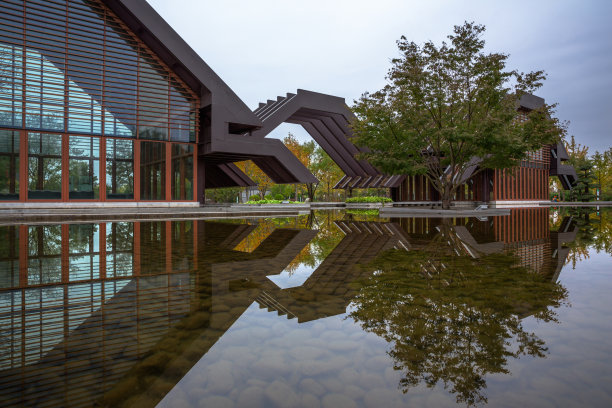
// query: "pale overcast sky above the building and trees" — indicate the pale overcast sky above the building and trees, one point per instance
point(265, 48)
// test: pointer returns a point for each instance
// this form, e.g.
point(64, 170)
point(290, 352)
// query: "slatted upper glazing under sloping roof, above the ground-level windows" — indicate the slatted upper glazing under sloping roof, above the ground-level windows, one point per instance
point(77, 54)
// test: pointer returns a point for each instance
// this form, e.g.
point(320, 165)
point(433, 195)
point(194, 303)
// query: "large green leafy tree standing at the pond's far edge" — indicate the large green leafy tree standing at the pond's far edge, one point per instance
point(446, 108)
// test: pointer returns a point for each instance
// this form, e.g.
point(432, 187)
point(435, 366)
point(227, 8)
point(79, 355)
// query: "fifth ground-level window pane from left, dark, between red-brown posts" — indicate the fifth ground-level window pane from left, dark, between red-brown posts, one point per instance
point(152, 171)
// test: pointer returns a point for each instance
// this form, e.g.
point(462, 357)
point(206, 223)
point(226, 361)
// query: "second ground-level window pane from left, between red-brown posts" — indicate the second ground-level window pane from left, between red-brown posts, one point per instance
point(44, 166)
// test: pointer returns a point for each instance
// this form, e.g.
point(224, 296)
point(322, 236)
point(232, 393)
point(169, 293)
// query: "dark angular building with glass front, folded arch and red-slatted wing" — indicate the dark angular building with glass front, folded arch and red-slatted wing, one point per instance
point(102, 102)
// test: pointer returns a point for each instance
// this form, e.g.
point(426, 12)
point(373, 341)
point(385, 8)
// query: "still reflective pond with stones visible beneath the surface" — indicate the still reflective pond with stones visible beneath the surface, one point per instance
point(330, 309)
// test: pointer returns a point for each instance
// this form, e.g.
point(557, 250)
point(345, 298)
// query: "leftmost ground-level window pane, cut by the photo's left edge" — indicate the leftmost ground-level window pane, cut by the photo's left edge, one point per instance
point(9, 165)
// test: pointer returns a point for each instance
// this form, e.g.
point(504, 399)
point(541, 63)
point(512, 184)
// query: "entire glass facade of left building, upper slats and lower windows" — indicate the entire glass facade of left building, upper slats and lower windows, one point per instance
point(79, 95)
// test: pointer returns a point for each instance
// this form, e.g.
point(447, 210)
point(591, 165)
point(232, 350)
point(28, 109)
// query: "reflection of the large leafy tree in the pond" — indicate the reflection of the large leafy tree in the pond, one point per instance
point(452, 319)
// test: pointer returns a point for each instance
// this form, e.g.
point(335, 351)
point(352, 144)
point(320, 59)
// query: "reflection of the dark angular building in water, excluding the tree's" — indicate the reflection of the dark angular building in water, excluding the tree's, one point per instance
point(118, 312)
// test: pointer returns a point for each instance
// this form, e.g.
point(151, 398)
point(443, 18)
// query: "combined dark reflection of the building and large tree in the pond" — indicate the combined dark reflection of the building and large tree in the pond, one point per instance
point(115, 314)
